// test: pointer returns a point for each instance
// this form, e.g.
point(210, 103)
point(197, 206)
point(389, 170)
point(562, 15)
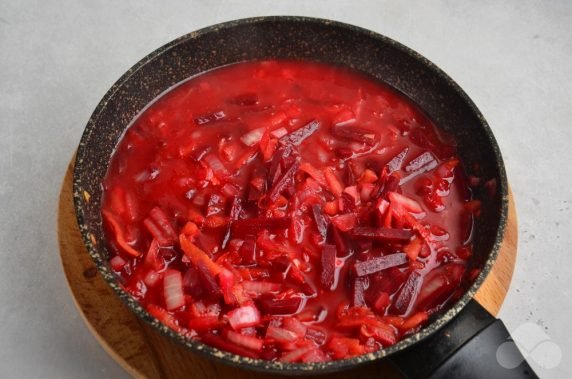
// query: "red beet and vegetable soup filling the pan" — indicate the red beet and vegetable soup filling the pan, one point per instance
point(288, 210)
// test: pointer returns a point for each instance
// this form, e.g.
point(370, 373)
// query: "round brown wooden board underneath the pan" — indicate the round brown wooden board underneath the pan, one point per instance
point(144, 353)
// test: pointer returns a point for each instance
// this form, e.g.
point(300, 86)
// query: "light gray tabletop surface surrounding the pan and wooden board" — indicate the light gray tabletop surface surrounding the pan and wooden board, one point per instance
point(58, 58)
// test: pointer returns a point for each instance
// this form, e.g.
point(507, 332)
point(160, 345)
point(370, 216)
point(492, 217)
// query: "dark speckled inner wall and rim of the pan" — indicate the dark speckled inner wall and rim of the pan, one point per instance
point(293, 38)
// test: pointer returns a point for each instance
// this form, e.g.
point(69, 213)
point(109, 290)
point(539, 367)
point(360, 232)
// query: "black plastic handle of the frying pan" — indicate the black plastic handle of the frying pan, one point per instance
point(466, 347)
